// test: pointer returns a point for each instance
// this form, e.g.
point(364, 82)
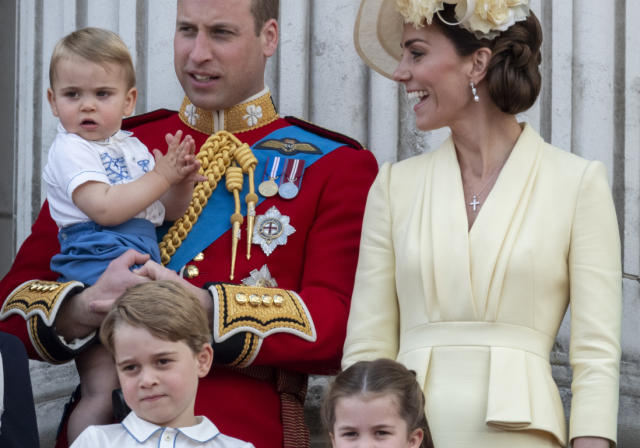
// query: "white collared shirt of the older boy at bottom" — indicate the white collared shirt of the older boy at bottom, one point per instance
point(139, 433)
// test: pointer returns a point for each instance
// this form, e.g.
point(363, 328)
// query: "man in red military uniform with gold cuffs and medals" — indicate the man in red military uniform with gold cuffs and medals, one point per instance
point(278, 289)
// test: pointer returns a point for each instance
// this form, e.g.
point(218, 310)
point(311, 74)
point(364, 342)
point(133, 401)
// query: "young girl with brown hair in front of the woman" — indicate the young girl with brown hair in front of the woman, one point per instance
point(376, 403)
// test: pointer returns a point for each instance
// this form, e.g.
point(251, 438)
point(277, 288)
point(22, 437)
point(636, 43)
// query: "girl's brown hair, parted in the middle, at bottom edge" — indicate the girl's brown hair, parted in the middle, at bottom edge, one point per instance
point(371, 379)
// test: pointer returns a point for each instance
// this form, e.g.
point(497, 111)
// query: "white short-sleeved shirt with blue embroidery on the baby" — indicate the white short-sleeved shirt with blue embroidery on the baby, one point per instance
point(72, 161)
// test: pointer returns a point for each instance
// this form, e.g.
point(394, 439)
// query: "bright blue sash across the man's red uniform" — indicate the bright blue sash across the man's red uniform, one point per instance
point(214, 219)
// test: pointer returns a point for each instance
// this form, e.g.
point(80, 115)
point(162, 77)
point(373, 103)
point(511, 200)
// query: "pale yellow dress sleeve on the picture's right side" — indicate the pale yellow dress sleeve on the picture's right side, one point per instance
point(595, 285)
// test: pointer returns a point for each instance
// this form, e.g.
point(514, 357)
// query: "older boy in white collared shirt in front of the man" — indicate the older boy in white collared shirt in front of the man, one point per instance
point(159, 336)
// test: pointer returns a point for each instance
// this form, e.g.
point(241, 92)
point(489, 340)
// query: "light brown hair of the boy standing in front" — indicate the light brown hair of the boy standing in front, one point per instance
point(165, 309)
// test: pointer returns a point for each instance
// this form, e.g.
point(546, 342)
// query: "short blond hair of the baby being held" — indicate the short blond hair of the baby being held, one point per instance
point(95, 45)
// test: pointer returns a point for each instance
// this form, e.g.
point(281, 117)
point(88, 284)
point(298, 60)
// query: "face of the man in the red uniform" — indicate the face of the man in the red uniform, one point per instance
point(218, 57)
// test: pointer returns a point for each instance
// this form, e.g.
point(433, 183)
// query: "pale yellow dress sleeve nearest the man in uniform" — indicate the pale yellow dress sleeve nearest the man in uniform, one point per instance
point(372, 330)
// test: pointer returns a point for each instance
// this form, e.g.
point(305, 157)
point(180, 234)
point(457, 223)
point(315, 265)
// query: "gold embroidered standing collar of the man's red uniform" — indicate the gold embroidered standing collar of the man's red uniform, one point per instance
point(253, 113)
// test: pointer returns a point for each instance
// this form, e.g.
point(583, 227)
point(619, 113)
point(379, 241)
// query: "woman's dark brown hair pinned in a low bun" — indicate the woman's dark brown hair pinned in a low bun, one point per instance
point(513, 75)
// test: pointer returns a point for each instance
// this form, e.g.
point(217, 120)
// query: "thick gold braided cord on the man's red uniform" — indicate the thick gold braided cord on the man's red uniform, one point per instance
point(215, 156)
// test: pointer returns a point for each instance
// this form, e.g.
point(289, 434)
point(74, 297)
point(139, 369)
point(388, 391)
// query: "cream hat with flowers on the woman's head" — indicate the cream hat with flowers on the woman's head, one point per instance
point(379, 24)
